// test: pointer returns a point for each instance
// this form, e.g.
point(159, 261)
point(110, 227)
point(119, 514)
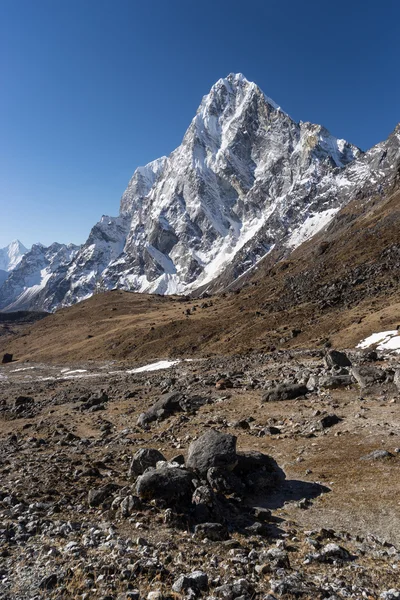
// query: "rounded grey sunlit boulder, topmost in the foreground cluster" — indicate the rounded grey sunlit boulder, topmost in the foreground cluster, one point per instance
point(213, 449)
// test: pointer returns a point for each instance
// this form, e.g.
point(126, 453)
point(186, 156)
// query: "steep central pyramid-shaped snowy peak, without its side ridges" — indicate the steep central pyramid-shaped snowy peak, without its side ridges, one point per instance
point(240, 156)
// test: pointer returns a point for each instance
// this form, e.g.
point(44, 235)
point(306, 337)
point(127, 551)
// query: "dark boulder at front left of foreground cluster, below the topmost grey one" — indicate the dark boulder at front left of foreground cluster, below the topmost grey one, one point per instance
point(170, 485)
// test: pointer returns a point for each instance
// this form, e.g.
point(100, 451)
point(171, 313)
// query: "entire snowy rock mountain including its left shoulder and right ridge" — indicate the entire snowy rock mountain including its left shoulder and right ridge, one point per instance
point(246, 179)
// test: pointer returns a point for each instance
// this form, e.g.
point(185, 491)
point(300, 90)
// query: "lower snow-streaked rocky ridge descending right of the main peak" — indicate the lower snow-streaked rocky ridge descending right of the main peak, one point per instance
point(297, 217)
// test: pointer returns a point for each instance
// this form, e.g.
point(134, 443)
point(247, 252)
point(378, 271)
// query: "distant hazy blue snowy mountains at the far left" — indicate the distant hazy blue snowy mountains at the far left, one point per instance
point(37, 281)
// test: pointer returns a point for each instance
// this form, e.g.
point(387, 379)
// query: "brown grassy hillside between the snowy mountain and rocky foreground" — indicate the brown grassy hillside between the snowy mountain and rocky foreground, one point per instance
point(342, 285)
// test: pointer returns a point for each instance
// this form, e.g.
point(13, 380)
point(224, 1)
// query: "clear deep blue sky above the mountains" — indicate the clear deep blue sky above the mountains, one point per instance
point(91, 89)
